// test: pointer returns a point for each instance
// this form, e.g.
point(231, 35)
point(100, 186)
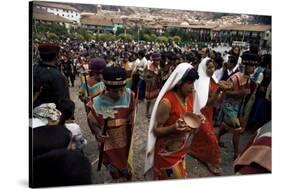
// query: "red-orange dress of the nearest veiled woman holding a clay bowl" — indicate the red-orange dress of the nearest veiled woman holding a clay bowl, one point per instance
point(170, 151)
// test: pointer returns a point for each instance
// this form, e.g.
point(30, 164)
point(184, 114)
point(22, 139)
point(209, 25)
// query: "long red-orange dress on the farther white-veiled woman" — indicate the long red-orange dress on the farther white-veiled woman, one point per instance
point(204, 145)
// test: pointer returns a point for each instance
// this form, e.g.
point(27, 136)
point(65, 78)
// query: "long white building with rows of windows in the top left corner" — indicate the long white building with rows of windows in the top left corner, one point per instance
point(63, 10)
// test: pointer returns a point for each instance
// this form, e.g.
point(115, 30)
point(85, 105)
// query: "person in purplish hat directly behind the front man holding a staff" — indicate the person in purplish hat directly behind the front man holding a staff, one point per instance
point(94, 85)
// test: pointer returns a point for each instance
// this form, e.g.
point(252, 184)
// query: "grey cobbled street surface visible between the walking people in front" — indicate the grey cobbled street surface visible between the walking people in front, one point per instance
point(195, 168)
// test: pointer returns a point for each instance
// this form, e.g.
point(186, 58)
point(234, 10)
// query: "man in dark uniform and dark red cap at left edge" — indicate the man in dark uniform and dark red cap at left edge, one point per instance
point(54, 84)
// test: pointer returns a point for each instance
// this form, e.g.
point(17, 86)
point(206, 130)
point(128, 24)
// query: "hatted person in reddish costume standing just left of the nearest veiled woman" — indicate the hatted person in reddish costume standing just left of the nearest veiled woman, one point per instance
point(152, 77)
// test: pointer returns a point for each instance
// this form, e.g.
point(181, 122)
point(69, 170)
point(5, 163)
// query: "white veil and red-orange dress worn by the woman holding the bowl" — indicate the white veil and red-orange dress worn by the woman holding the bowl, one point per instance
point(165, 156)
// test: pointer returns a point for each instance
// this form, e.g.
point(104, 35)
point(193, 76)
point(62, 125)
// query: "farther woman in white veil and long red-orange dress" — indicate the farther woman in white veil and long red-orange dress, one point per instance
point(204, 144)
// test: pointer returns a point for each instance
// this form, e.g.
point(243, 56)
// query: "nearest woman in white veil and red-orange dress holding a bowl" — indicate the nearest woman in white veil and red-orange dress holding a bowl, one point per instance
point(167, 135)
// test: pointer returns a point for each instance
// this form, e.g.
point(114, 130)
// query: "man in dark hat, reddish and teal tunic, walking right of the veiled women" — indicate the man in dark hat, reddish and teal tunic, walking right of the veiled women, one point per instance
point(237, 88)
